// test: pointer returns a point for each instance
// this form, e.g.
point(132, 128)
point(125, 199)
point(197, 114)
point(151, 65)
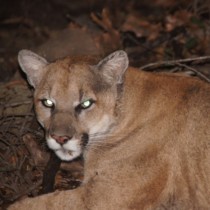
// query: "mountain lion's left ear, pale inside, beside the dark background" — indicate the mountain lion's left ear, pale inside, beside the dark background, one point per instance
point(32, 64)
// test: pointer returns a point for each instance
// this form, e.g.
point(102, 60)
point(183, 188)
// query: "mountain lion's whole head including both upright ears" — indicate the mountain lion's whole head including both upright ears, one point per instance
point(74, 101)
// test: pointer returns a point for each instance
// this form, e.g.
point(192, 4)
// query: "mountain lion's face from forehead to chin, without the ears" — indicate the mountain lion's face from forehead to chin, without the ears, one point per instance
point(72, 104)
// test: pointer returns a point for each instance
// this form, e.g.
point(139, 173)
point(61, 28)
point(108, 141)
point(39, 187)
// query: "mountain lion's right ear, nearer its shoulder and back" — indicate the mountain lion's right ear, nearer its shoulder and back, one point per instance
point(114, 66)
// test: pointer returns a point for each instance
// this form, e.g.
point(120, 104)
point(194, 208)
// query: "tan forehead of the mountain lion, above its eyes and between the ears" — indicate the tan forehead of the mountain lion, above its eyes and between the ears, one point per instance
point(69, 79)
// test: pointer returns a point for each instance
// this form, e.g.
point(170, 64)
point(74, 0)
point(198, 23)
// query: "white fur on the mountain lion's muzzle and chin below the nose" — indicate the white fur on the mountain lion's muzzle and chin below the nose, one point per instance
point(68, 151)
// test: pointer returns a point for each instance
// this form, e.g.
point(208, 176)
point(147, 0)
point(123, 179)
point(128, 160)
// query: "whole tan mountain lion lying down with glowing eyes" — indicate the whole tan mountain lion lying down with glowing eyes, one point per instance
point(145, 137)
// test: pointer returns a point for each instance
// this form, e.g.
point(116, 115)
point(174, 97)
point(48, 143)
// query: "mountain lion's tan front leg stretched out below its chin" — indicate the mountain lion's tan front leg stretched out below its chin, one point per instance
point(65, 200)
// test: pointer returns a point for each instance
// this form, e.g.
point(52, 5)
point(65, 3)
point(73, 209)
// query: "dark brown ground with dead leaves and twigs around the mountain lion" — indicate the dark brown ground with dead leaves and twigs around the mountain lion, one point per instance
point(158, 35)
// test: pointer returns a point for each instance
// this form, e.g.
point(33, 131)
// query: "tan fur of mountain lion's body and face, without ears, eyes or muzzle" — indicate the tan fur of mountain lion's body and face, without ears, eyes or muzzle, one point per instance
point(156, 153)
